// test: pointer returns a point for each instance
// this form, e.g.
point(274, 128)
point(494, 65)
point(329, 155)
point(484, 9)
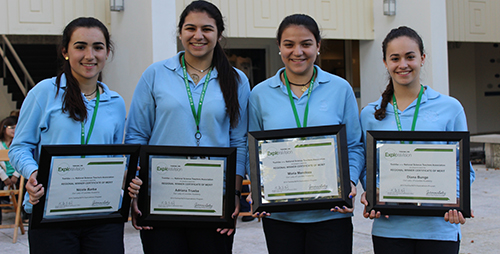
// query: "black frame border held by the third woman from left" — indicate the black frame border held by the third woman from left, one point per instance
point(337, 132)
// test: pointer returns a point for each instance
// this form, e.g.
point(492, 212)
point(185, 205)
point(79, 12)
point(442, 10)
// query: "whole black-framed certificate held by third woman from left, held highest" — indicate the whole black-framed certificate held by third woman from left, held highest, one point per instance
point(299, 169)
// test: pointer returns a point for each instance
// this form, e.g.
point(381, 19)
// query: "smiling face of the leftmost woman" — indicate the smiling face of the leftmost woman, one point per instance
point(87, 53)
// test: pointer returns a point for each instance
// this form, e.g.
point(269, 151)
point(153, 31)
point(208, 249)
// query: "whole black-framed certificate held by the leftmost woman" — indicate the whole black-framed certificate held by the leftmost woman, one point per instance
point(84, 184)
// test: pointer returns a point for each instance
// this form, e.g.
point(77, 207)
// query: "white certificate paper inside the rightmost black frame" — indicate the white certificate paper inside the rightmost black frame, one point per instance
point(418, 173)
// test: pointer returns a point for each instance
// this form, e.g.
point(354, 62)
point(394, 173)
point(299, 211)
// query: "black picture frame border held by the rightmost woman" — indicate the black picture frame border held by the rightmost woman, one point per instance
point(460, 139)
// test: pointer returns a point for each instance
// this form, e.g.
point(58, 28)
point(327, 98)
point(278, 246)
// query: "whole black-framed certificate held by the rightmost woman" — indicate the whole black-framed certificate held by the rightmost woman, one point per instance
point(418, 172)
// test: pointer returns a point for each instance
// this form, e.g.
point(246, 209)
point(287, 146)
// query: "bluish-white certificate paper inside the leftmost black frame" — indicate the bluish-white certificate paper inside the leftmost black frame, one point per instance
point(85, 185)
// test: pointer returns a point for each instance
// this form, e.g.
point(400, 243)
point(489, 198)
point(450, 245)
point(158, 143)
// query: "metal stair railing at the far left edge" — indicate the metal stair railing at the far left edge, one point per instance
point(28, 81)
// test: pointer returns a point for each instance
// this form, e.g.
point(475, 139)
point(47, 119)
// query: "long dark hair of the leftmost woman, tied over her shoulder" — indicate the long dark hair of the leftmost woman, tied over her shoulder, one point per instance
point(72, 97)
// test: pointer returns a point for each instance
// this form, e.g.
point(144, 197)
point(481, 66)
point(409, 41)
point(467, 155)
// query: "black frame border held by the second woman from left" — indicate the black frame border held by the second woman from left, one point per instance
point(165, 220)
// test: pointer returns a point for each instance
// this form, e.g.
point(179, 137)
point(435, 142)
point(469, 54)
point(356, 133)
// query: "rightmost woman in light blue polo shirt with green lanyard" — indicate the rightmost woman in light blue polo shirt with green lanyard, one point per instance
point(427, 110)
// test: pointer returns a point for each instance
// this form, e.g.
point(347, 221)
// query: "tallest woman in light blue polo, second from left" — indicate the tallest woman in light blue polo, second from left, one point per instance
point(161, 114)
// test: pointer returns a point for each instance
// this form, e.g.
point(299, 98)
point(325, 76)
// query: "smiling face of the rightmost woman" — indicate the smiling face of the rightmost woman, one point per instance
point(404, 60)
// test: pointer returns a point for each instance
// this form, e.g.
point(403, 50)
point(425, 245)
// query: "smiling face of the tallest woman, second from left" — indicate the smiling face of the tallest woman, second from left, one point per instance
point(199, 36)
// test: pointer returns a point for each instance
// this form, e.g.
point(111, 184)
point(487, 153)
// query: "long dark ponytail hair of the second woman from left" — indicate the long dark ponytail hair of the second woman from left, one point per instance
point(228, 77)
